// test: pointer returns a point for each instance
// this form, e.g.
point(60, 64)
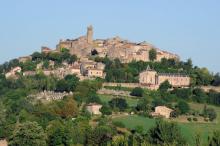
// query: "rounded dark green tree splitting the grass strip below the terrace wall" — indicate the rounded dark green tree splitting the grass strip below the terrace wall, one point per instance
point(119, 103)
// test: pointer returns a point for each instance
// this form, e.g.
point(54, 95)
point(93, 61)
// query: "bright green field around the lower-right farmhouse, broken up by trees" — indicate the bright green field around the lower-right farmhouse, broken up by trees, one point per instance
point(189, 130)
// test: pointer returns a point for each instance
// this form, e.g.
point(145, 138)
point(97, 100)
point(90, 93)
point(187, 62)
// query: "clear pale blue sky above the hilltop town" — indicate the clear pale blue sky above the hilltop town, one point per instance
point(190, 28)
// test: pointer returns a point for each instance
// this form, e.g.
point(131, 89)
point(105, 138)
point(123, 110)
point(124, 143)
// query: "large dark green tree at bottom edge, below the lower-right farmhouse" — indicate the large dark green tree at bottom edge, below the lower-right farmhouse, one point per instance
point(165, 133)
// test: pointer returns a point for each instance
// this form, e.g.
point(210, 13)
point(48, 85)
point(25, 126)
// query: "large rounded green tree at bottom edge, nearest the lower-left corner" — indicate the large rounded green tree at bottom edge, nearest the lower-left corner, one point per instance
point(28, 134)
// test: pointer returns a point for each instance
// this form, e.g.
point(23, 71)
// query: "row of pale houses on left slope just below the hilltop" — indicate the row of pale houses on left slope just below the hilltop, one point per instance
point(84, 69)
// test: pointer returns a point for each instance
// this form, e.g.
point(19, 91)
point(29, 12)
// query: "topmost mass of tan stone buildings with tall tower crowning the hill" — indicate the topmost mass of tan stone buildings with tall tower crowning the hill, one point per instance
point(115, 47)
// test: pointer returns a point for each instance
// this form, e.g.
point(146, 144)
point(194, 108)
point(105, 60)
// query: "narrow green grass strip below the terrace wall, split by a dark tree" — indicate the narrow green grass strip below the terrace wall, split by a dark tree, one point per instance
point(131, 101)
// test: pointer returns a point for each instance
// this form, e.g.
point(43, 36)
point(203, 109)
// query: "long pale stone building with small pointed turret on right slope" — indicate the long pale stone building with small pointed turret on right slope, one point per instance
point(150, 77)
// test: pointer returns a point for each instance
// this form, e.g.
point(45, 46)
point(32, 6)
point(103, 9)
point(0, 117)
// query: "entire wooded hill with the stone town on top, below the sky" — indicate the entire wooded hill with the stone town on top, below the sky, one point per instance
point(105, 92)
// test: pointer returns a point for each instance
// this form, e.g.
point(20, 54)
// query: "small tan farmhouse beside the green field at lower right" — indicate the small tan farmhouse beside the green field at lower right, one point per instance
point(162, 111)
